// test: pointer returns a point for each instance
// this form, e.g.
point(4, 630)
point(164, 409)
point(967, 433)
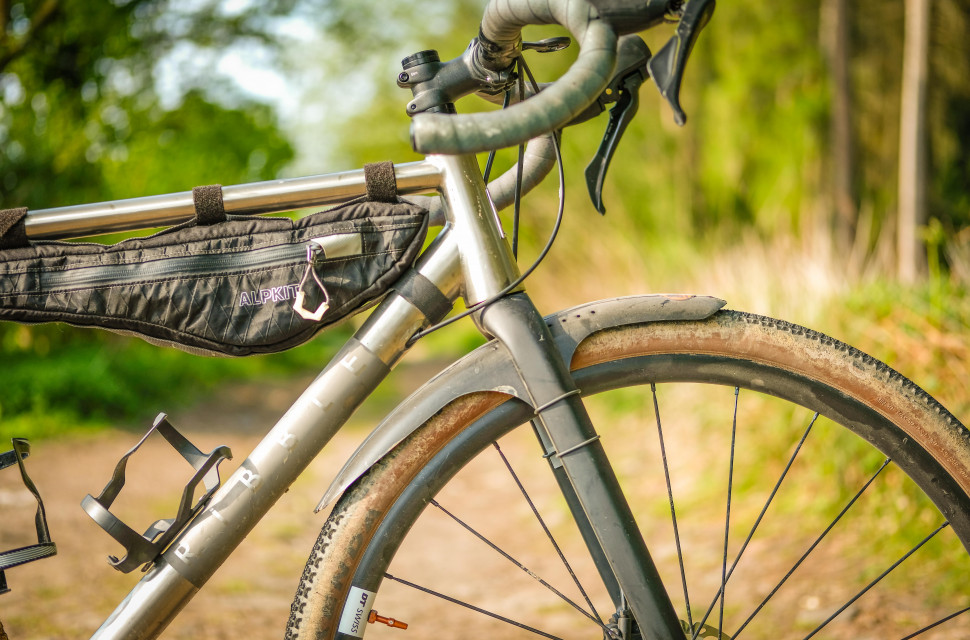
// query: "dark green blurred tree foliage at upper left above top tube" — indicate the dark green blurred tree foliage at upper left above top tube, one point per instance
point(82, 118)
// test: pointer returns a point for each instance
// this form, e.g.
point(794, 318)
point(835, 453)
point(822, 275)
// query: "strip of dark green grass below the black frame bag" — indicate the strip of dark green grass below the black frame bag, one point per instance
point(57, 380)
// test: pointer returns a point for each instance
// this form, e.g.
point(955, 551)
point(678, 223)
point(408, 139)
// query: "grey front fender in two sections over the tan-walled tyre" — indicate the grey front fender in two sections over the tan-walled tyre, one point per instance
point(489, 369)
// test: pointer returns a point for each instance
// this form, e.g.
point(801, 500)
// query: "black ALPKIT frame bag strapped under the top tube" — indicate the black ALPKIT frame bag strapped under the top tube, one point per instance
point(219, 284)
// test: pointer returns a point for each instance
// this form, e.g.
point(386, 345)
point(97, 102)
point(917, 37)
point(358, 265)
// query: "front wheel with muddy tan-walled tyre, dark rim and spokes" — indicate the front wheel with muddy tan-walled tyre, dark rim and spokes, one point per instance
point(787, 485)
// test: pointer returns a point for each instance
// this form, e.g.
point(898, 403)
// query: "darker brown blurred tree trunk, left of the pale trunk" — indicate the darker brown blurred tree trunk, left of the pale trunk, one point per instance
point(835, 40)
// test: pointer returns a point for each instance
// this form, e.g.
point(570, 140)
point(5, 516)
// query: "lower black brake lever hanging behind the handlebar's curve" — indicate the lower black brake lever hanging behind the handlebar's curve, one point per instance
point(624, 90)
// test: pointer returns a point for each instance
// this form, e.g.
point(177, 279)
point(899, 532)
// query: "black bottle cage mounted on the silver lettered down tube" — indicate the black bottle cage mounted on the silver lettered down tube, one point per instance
point(144, 549)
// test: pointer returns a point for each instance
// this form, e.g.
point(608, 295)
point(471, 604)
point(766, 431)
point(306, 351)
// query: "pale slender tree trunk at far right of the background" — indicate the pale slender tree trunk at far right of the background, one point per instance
point(911, 253)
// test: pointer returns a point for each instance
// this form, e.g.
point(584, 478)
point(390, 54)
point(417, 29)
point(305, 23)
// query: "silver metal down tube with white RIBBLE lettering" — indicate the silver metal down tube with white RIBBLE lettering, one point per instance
point(282, 455)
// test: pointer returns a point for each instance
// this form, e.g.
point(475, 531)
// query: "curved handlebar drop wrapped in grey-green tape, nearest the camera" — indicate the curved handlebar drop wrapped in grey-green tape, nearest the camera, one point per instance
point(557, 105)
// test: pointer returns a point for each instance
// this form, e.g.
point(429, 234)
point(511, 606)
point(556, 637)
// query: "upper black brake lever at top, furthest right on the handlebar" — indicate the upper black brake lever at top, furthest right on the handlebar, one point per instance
point(667, 67)
